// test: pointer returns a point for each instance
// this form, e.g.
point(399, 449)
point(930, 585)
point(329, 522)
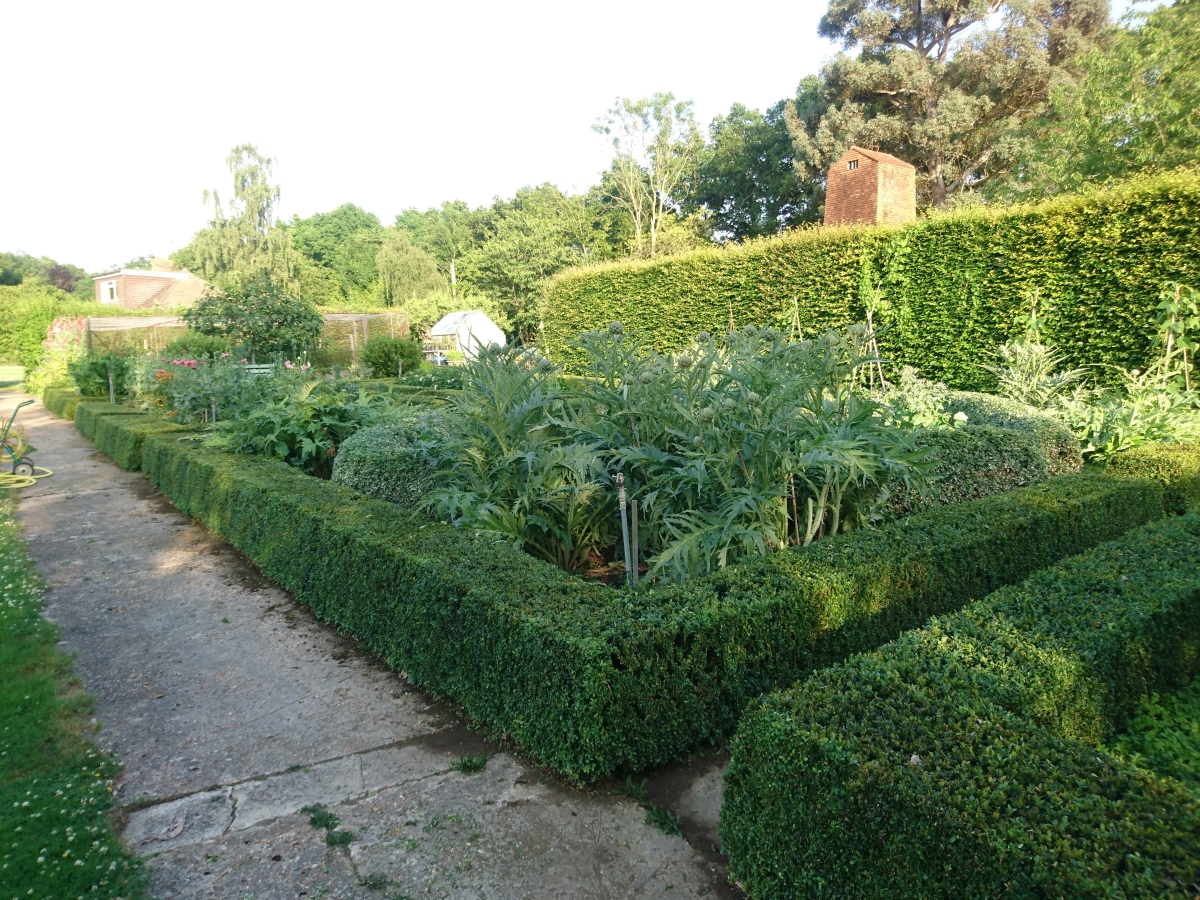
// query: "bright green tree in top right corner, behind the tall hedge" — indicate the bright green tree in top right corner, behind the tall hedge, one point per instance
point(1135, 107)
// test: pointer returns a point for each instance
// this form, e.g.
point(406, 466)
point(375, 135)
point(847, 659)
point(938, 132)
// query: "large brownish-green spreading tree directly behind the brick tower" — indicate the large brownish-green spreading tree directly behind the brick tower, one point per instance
point(946, 85)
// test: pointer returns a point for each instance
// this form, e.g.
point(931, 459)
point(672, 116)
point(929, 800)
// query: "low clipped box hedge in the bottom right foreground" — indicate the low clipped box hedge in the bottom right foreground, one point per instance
point(961, 760)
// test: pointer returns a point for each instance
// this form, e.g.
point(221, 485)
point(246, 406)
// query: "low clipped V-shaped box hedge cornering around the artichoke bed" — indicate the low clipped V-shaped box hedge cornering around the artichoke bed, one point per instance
point(592, 680)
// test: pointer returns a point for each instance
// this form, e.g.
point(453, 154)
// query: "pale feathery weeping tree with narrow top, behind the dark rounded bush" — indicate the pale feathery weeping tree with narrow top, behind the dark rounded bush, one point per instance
point(244, 242)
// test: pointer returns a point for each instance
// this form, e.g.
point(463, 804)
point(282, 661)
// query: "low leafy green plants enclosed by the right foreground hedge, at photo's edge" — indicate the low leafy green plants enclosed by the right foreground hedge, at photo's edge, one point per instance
point(1165, 736)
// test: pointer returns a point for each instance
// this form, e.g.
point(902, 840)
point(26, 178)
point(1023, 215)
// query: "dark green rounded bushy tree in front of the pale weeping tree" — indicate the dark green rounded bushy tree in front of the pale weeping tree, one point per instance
point(257, 316)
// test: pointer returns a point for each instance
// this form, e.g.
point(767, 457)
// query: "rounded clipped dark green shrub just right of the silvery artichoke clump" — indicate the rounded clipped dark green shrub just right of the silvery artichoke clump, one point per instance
point(973, 461)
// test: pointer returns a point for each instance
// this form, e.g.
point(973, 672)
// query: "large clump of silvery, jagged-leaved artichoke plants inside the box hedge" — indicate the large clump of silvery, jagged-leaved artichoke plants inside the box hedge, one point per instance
point(739, 447)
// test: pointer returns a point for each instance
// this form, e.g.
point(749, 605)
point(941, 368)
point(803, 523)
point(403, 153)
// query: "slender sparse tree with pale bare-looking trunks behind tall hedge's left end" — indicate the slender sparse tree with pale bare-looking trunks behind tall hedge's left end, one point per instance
point(656, 148)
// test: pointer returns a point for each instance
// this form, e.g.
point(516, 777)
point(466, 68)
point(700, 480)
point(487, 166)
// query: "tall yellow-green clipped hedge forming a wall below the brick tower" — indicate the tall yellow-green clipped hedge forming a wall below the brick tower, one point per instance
point(956, 284)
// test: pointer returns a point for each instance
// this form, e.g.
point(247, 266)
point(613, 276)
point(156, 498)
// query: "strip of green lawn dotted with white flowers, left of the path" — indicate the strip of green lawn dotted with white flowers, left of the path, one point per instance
point(57, 841)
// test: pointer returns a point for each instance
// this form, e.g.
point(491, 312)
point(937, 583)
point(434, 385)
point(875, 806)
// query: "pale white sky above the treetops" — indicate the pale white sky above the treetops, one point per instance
point(118, 116)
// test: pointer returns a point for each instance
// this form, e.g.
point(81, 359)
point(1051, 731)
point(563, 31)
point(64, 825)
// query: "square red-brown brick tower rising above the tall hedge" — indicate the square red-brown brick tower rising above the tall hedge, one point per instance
point(869, 188)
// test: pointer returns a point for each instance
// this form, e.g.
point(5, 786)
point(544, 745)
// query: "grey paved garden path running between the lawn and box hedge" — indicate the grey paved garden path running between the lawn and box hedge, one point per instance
point(232, 707)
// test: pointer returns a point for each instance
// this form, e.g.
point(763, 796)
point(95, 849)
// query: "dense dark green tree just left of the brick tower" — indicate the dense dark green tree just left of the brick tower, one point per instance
point(746, 179)
